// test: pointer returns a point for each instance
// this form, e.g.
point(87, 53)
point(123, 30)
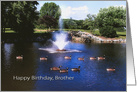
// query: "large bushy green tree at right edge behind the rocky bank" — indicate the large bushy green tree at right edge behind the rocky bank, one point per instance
point(110, 20)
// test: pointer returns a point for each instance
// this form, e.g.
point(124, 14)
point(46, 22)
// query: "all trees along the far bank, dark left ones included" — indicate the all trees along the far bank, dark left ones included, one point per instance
point(22, 17)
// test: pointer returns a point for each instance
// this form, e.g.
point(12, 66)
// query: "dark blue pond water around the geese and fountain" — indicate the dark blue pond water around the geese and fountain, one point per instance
point(92, 76)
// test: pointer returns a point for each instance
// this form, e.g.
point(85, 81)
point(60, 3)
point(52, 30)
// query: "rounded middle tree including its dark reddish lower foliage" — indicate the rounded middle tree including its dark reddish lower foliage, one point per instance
point(49, 15)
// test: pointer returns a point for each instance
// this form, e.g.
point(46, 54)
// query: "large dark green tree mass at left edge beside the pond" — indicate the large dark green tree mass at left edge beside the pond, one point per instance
point(21, 16)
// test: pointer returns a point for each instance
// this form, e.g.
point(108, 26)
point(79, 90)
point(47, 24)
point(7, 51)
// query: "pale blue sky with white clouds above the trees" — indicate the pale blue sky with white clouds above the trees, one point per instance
point(79, 9)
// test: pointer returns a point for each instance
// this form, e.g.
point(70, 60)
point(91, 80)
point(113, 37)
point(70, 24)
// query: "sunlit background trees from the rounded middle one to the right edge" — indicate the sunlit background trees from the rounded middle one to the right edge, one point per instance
point(108, 20)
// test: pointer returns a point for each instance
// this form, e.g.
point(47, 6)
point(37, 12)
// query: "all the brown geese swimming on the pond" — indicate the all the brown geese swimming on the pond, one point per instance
point(68, 58)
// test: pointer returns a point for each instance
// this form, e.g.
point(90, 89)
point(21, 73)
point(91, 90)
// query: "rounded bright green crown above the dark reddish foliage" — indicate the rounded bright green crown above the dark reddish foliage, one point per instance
point(50, 9)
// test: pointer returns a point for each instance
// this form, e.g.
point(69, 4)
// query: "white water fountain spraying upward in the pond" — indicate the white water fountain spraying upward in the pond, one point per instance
point(59, 41)
